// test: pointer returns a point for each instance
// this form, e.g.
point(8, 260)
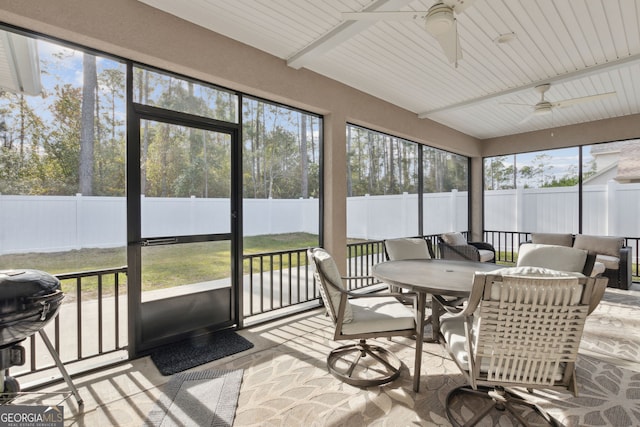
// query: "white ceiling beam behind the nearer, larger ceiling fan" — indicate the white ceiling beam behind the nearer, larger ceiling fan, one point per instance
point(342, 33)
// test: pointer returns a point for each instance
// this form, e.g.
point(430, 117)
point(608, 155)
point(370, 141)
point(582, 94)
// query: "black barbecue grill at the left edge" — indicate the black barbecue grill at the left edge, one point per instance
point(29, 299)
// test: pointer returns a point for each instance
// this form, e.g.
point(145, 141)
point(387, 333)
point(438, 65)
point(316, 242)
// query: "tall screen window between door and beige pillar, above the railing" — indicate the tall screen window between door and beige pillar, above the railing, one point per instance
point(281, 177)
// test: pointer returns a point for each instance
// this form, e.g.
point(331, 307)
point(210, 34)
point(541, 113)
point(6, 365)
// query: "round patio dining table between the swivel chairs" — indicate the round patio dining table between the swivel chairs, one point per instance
point(435, 277)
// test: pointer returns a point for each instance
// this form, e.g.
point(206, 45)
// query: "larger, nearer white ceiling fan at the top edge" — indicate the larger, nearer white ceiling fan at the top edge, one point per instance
point(439, 21)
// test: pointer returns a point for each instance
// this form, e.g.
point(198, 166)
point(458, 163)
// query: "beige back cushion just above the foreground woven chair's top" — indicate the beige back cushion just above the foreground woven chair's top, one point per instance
point(554, 257)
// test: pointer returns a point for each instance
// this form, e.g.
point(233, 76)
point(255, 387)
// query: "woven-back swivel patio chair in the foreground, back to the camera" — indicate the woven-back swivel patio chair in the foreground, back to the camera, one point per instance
point(521, 327)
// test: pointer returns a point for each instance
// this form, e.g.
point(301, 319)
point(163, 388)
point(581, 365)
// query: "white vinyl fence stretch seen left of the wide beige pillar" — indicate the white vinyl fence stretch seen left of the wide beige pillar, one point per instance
point(62, 223)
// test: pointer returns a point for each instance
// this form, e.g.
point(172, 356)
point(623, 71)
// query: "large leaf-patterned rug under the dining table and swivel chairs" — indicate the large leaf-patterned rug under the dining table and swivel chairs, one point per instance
point(288, 384)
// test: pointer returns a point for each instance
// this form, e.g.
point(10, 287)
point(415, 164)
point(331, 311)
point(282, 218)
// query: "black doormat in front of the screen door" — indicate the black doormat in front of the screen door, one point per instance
point(177, 357)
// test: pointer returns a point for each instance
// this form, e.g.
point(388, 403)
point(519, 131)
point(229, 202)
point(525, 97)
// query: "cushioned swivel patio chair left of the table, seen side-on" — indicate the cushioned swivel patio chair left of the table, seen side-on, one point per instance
point(360, 317)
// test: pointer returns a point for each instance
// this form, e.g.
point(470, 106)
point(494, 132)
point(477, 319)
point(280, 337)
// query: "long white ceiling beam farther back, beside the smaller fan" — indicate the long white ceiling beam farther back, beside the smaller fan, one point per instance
point(607, 66)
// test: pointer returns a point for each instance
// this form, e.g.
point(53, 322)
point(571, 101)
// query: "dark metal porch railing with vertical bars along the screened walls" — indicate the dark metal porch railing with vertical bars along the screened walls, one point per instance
point(93, 322)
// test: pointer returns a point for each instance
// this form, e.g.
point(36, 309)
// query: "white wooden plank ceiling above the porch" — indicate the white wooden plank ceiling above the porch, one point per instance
point(581, 47)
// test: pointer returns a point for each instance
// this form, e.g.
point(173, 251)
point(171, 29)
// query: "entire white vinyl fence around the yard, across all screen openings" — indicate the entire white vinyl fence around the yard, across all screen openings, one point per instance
point(52, 223)
